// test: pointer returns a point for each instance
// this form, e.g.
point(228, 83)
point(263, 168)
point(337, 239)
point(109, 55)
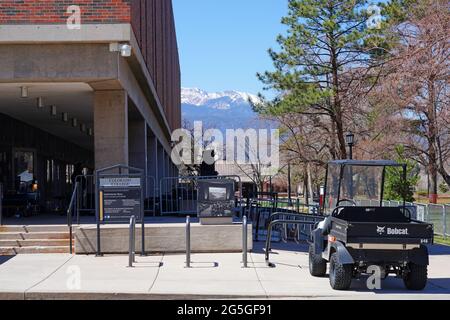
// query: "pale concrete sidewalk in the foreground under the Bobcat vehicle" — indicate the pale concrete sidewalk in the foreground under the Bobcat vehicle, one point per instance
point(219, 276)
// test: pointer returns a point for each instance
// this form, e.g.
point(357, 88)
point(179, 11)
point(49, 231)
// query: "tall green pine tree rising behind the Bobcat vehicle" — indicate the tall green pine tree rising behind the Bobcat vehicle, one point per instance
point(326, 55)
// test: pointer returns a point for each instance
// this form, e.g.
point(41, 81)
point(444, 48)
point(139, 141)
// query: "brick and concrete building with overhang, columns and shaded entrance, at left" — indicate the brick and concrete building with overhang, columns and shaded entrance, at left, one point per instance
point(84, 85)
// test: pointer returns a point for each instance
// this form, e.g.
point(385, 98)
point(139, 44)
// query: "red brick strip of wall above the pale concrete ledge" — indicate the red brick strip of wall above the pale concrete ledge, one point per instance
point(55, 12)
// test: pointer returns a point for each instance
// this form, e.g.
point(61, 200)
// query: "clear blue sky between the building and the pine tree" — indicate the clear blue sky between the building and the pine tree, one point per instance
point(223, 43)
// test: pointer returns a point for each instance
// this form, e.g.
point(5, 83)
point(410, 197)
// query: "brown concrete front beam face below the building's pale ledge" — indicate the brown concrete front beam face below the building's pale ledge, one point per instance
point(57, 63)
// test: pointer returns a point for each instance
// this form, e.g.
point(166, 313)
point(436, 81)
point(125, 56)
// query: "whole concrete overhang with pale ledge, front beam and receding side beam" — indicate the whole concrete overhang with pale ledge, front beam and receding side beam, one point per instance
point(55, 54)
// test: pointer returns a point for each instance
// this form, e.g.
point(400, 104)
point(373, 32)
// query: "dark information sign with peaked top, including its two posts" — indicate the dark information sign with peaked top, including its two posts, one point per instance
point(119, 197)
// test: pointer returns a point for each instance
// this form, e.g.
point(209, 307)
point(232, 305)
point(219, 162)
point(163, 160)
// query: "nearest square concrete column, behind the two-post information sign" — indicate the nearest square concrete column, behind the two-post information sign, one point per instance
point(111, 128)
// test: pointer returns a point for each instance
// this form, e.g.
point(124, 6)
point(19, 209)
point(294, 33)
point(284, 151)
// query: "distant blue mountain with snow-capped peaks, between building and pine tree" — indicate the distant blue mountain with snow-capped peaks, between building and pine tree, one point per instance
point(222, 110)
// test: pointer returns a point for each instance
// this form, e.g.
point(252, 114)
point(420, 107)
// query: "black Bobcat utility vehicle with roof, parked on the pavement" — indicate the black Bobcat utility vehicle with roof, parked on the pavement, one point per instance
point(360, 232)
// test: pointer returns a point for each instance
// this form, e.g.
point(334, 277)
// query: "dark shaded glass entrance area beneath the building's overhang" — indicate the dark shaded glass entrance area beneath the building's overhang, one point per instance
point(36, 170)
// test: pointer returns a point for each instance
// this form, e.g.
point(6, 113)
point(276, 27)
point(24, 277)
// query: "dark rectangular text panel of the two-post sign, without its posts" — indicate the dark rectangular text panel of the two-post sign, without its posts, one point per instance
point(120, 198)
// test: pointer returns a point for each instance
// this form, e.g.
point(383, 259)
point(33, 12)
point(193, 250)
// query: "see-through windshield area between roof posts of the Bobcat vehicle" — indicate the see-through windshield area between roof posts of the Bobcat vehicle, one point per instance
point(358, 183)
